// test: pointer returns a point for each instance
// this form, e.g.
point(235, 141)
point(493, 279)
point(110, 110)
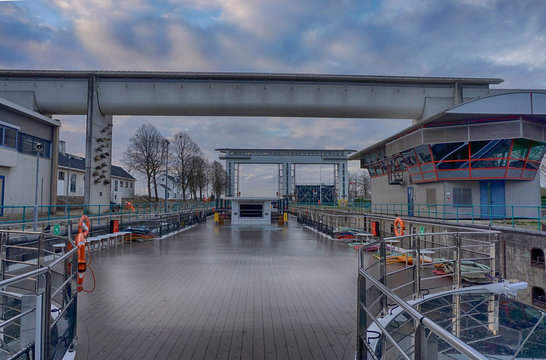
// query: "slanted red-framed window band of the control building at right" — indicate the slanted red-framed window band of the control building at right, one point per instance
point(513, 159)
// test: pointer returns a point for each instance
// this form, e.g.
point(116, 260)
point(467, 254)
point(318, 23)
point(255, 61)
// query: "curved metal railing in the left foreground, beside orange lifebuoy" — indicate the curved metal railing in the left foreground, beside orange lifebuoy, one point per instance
point(38, 298)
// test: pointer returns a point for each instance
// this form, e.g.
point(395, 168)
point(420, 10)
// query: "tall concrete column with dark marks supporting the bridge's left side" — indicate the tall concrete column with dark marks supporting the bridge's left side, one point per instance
point(98, 153)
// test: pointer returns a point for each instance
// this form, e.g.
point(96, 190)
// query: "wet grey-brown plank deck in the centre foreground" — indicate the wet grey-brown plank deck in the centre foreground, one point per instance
point(222, 293)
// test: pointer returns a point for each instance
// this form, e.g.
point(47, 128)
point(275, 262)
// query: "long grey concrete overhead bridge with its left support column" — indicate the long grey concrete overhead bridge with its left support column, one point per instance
point(103, 94)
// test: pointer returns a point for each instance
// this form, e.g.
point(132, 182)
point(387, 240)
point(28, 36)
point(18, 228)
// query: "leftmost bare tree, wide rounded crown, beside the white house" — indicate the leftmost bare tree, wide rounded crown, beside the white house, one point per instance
point(145, 154)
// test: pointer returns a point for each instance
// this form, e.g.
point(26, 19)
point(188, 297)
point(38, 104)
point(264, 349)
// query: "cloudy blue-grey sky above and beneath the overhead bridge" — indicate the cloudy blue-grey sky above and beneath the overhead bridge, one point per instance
point(455, 38)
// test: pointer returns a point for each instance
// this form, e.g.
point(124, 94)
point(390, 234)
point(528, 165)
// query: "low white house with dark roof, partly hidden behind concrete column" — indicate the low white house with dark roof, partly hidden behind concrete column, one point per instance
point(71, 175)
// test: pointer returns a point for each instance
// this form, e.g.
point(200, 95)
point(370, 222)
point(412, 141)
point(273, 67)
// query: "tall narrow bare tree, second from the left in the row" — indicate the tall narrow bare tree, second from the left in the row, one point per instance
point(185, 150)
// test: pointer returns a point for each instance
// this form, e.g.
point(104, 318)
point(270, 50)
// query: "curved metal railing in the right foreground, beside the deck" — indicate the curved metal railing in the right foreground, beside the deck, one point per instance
point(401, 269)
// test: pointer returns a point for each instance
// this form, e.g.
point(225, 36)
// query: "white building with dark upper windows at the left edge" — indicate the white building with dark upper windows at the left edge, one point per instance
point(21, 130)
